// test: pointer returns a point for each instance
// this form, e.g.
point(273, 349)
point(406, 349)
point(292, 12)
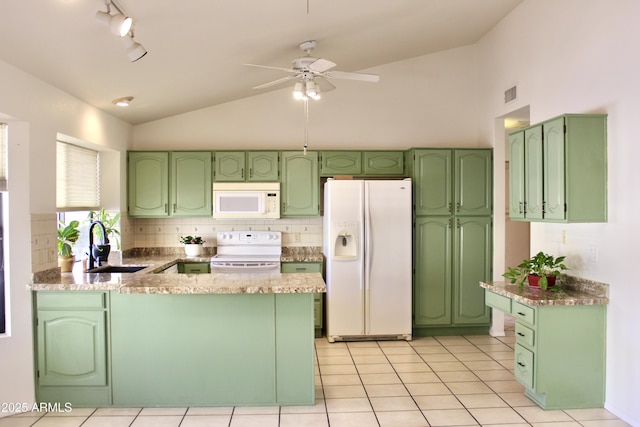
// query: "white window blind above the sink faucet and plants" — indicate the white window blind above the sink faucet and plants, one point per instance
point(77, 178)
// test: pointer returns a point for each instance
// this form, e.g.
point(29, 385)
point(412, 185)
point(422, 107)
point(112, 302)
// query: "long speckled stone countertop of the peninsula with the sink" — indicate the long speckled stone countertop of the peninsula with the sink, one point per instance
point(150, 280)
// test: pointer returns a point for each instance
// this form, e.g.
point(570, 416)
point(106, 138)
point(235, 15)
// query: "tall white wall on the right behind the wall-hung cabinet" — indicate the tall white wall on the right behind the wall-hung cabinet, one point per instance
point(576, 56)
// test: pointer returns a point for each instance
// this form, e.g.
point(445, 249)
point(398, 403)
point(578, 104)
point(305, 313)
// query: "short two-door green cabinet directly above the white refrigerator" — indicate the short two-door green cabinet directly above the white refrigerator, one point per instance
point(358, 163)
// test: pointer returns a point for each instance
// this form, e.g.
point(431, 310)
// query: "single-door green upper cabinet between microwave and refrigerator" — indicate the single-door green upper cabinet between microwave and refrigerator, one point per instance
point(300, 184)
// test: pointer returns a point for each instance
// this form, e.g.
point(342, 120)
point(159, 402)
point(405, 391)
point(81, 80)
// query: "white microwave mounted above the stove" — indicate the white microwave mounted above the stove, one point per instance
point(246, 200)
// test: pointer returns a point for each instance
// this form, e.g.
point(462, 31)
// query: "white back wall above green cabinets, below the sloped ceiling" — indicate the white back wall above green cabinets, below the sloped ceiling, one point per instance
point(426, 101)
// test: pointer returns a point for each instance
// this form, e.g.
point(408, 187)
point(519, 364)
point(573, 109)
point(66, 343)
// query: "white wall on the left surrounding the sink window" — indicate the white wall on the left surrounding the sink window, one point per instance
point(36, 113)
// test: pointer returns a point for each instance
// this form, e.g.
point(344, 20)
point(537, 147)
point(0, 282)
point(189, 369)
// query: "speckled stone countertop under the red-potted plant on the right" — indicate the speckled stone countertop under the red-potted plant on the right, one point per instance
point(571, 291)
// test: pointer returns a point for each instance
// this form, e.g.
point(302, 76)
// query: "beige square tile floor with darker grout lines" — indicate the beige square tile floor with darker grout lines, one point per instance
point(435, 381)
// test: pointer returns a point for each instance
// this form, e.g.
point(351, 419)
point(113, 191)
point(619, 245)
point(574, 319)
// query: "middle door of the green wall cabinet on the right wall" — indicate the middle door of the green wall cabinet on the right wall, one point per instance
point(533, 172)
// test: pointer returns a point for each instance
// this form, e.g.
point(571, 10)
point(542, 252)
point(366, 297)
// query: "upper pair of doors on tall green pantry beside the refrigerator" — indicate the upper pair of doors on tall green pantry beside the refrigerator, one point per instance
point(452, 182)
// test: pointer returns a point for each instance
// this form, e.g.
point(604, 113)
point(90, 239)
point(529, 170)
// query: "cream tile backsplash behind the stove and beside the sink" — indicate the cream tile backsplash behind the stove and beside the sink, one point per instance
point(166, 232)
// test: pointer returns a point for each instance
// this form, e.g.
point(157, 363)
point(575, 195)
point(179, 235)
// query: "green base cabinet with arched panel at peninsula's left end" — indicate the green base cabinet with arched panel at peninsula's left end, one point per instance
point(71, 347)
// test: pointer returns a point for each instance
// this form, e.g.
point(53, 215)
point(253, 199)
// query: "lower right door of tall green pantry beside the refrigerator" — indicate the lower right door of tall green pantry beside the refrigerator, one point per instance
point(472, 264)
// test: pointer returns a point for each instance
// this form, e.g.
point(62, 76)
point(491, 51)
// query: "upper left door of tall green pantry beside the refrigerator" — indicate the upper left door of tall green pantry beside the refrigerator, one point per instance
point(433, 187)
